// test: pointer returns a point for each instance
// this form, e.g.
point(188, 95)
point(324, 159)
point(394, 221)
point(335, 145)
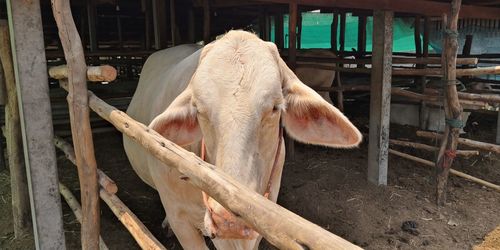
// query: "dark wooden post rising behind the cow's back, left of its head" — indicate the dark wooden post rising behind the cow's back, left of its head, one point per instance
point(159, 23)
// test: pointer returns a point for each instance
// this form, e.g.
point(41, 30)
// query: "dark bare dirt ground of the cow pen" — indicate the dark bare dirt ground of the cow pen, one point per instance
point(325, 186)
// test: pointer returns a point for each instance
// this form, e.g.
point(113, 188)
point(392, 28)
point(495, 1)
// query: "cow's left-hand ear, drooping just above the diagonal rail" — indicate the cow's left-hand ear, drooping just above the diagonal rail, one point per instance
point(179, 122)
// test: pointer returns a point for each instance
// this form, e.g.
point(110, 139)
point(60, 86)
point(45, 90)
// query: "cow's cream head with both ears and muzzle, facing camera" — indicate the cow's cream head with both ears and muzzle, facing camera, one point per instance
point(235, 100)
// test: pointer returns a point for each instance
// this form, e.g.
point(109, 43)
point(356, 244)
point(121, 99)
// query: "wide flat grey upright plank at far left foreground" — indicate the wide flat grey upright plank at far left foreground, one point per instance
point(25, 23)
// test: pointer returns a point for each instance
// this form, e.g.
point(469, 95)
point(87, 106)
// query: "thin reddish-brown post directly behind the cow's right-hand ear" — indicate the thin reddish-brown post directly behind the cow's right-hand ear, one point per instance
point(292, 60)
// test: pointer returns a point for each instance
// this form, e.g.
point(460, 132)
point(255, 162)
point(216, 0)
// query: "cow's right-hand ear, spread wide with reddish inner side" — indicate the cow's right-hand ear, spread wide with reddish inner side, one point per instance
point(309, 118)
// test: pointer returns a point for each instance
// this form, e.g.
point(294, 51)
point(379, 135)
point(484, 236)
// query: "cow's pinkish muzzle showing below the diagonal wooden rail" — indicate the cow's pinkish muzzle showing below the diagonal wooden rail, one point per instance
point(221, 223)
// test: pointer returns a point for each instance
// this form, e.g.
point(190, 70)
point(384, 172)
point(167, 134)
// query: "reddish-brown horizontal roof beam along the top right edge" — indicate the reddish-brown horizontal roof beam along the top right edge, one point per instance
point(421, 7)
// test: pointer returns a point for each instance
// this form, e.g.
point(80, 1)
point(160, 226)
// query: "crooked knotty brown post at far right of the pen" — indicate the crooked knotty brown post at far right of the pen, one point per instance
point(452, 107)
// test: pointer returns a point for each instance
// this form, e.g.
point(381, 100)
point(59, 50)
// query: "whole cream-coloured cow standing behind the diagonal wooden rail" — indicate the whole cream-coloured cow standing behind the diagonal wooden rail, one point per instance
point(226, 100)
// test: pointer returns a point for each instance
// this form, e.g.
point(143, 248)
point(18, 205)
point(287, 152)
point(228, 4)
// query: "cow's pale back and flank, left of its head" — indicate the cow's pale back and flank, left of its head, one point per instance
point(164, 76)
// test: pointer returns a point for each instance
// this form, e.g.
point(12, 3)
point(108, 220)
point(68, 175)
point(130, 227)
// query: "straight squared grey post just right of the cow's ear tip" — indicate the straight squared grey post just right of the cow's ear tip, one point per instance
point(380, 98)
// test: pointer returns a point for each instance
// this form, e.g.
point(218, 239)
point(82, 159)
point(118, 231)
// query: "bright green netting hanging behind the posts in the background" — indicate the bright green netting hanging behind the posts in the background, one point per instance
point(316, 32)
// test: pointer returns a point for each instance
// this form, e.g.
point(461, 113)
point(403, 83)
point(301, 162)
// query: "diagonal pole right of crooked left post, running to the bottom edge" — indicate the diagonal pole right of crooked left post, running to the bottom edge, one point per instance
point(141, 234)
